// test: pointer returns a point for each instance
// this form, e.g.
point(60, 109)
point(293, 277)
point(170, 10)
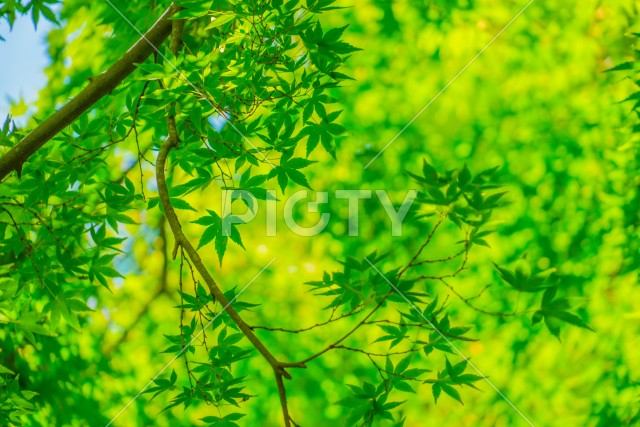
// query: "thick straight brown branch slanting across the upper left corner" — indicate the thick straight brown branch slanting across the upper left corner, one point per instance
point(97, 88)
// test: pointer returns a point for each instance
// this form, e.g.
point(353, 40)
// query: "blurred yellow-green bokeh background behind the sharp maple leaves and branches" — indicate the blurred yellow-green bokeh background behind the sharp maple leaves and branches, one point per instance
point(539, 103)
